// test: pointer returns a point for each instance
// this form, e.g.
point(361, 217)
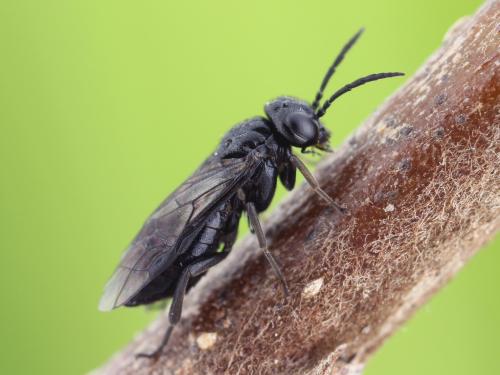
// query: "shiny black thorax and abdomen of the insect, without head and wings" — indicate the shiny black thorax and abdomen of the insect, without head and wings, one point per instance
point(252, 138)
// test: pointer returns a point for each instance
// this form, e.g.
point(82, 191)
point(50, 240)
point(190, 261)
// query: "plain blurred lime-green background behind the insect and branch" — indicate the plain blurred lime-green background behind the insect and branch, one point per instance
point(106, 106)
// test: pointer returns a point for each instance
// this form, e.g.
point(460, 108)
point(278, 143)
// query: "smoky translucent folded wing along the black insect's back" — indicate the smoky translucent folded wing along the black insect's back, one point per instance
point(172, 227)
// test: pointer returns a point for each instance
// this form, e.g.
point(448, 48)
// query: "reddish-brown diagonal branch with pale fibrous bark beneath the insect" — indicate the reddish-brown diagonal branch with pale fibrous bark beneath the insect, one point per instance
point(421, 182)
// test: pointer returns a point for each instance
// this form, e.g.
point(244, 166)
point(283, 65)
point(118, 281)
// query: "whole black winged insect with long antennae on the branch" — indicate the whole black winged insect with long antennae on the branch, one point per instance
point(182, 239)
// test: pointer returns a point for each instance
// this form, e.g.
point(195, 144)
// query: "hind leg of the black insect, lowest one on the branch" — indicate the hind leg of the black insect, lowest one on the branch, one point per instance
point(174, 314)
